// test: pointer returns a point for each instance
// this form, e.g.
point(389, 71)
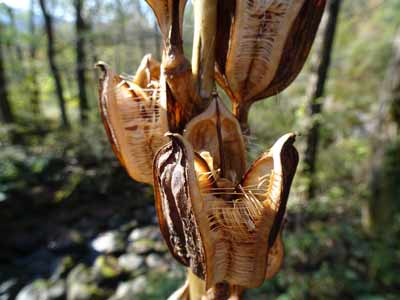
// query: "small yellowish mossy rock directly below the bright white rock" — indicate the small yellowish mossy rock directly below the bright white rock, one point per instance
point(106, 268)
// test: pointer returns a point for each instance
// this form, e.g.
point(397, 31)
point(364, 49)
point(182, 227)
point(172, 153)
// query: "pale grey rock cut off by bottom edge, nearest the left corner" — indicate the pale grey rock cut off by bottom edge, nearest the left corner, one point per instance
point(43, 290)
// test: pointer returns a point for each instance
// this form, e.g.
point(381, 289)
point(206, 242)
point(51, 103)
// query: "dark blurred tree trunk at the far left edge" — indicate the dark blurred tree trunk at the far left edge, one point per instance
point(5, 106)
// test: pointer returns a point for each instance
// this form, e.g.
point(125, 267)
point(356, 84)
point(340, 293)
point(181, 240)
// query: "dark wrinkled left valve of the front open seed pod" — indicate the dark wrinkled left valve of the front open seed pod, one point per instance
point(176, 193)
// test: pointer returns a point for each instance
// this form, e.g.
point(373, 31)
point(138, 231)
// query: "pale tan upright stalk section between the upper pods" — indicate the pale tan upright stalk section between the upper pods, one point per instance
point(203, 59)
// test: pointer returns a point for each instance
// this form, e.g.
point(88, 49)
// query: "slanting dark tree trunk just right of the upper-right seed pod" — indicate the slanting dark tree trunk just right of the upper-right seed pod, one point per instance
point(316, 91)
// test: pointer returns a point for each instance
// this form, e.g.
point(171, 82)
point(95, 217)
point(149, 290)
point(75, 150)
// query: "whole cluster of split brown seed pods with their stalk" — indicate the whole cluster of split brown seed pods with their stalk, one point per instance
point(168, 127)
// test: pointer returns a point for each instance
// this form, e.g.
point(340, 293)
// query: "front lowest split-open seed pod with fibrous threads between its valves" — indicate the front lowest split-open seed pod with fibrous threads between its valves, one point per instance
point(224, 233)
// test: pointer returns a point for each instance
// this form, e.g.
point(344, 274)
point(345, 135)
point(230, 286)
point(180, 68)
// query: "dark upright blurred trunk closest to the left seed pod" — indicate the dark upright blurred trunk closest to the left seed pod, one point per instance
point(81, 60)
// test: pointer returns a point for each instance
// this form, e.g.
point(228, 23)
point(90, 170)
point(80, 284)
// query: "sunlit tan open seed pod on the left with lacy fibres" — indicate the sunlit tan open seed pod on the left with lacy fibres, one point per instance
point(134, 116)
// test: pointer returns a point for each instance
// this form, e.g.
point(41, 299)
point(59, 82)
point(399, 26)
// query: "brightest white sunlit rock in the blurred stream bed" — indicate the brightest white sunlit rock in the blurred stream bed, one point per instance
point(109, 242)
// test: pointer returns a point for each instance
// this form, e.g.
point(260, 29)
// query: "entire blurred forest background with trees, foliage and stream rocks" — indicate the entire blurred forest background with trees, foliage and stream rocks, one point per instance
point(74, 226)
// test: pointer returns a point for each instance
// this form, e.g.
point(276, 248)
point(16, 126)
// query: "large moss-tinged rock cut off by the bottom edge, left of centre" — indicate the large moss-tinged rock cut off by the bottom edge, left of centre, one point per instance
point(81, 285)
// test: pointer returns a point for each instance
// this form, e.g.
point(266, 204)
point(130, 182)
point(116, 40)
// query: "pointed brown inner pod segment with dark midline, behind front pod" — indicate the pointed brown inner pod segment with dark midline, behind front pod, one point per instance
point(217, 132)
